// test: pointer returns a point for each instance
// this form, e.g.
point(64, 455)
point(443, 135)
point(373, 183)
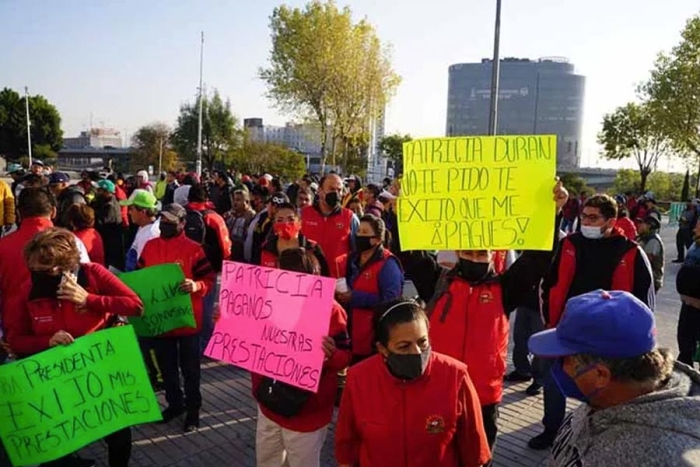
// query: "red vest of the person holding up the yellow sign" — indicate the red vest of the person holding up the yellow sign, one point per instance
point(468, 323)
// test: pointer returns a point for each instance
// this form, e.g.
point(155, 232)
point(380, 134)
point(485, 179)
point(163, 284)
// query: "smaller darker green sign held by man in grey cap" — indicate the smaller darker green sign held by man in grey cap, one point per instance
point(165, 306)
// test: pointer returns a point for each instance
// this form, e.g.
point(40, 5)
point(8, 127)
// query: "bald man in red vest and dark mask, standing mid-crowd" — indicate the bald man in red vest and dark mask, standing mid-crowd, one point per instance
point(327, 223)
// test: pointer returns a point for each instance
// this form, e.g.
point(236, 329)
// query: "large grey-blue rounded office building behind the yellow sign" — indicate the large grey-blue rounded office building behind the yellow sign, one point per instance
point(542, 96)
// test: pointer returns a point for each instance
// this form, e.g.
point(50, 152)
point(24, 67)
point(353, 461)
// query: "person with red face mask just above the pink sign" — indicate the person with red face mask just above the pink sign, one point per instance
point(286, 229)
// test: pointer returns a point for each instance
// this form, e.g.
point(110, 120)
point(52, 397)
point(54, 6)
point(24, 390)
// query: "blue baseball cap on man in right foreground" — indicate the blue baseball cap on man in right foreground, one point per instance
point(604, 324)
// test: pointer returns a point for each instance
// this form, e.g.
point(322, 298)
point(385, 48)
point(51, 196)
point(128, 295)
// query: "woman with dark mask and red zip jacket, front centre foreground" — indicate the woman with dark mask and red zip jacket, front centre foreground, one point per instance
point(408, 406)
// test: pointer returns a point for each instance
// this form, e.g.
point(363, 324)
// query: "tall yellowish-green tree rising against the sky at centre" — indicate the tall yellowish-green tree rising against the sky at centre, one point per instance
point(326, 68)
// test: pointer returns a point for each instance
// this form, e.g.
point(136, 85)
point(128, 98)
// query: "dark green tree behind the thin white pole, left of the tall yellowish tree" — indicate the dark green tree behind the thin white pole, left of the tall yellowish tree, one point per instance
point(221, 134)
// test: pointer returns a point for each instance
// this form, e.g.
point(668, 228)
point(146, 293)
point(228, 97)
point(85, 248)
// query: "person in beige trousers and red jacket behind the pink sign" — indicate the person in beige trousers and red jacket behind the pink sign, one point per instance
point(298, 434)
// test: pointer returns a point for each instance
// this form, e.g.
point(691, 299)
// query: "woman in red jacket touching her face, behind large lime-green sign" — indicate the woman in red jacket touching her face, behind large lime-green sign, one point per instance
point(64, 301)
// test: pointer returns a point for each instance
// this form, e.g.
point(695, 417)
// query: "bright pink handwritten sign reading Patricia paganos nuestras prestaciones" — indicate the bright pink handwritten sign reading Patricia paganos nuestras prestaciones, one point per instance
point(272, 322)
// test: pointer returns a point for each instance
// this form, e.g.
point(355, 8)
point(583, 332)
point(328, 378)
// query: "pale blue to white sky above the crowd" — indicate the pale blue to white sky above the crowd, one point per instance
point(123, 64)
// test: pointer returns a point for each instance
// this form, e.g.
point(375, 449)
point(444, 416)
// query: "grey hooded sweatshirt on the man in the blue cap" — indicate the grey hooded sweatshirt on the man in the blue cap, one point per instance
point(660, 429)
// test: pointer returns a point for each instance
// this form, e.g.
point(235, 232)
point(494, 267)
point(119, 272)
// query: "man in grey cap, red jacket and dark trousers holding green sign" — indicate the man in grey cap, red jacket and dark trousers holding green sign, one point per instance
point(178, 350)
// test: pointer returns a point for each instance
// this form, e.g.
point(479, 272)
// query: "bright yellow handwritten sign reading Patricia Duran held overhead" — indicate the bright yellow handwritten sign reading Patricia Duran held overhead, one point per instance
point(478, 193)
